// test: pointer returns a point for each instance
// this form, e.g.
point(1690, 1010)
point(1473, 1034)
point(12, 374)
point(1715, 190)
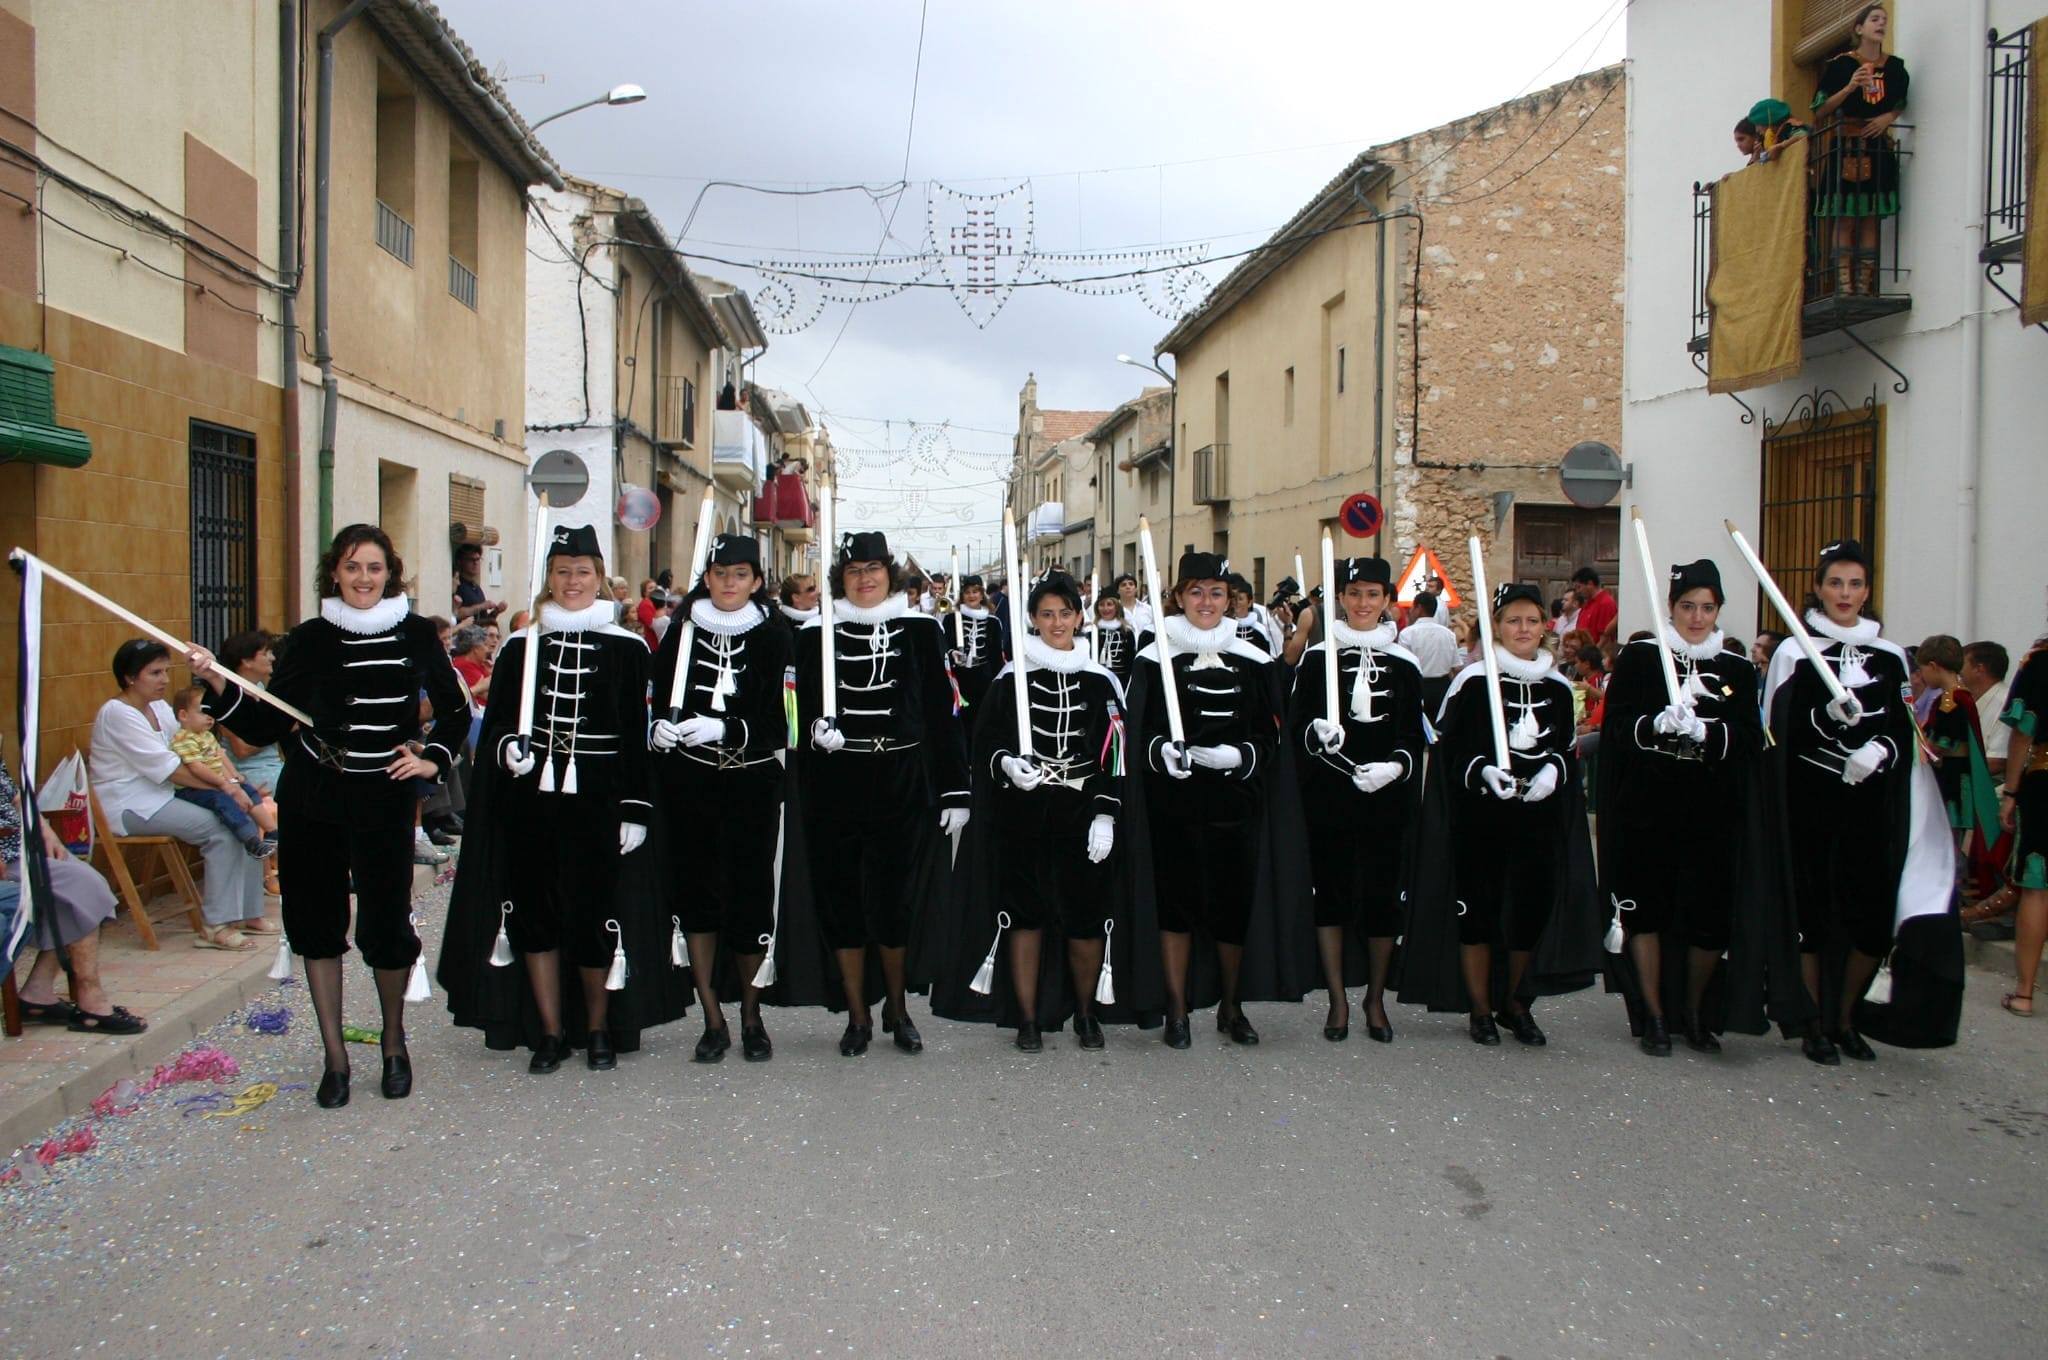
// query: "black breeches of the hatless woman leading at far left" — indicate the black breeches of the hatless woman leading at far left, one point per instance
point(361, 839)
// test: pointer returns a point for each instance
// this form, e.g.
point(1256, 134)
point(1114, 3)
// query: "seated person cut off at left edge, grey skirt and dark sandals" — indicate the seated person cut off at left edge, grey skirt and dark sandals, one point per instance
point(81, 902)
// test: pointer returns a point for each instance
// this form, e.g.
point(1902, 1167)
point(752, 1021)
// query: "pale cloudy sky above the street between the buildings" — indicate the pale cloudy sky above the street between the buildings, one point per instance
point(1129, 124)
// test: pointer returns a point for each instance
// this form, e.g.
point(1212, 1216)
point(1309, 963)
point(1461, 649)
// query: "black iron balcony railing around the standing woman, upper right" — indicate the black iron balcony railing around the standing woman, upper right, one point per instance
point(1842, 288)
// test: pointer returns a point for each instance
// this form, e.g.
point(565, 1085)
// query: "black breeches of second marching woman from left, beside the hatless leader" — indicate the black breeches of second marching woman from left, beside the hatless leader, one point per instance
point(564, 876)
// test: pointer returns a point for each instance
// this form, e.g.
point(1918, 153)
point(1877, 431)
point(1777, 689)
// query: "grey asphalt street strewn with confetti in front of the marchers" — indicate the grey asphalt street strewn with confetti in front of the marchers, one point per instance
point(1422, 1197)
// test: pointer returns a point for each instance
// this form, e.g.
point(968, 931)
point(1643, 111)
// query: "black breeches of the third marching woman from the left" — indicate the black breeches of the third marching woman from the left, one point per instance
point(726, 828)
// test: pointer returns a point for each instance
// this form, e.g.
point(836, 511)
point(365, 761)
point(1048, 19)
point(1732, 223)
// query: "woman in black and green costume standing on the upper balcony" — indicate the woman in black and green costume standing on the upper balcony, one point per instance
point(1863, 91)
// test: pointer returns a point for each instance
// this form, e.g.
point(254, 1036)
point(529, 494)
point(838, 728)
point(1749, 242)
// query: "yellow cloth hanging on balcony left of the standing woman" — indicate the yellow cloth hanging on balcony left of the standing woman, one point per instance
point(1758, 273)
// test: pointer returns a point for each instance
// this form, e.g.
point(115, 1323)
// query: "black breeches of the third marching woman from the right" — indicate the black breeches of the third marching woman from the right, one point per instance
point(1506, 861)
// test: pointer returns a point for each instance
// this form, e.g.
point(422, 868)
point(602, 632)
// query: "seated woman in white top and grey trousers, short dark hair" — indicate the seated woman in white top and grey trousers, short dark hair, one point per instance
point(136, 777)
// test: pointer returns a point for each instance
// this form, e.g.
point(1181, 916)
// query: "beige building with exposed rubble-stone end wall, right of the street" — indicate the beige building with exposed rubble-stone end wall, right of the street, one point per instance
point(1312, 374)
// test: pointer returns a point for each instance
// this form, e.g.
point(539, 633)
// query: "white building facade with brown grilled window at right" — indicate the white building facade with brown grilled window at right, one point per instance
point(1920, 425)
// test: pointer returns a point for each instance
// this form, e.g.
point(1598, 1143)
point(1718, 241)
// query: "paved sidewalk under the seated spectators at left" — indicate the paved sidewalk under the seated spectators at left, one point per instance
point(52, 1074)
